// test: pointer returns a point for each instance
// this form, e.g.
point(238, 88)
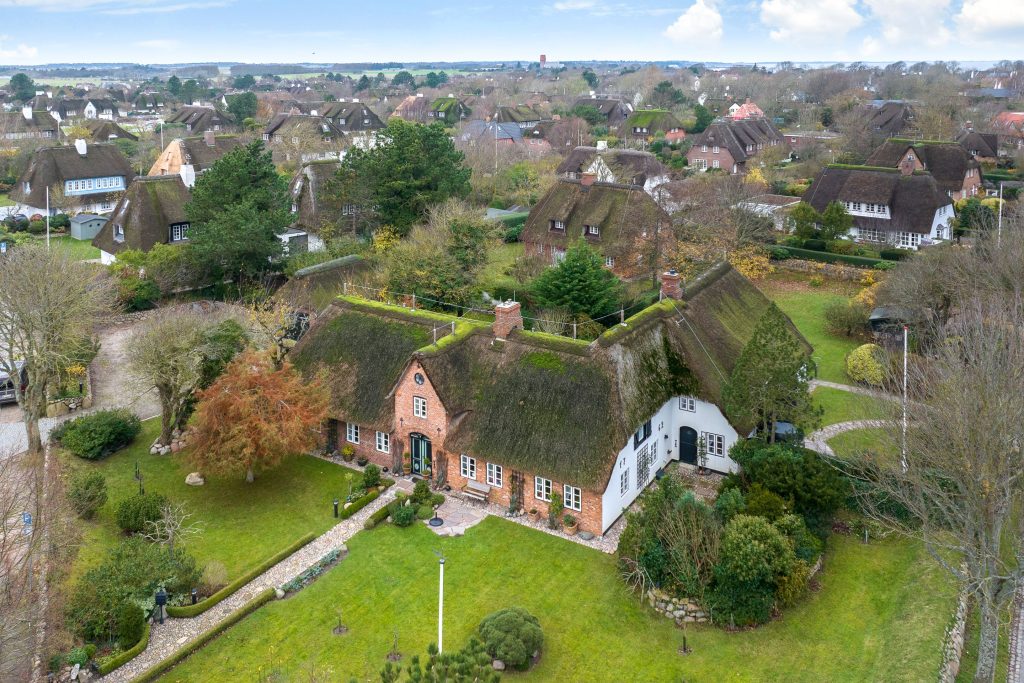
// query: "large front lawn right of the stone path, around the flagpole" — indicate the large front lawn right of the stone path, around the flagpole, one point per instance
point(880, 615)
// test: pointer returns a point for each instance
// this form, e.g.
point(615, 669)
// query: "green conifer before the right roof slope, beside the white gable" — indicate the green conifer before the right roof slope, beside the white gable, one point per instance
point(770, 382)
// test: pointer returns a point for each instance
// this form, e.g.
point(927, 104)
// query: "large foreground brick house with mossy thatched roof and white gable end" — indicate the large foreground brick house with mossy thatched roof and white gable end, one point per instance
point(511, 417)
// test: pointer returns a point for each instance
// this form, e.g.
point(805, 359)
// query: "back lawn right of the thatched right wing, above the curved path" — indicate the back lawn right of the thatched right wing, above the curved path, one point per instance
point(805, 307)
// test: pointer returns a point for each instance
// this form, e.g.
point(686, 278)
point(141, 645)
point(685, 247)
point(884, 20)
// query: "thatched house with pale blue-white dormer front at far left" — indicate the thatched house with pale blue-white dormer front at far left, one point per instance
point(83, 178)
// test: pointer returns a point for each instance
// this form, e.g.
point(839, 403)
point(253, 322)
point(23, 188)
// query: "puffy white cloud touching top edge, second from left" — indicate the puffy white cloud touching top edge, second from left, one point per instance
point(810, 21)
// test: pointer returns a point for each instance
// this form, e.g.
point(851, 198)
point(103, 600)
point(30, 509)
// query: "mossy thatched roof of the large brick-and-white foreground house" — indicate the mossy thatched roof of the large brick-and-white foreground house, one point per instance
point(535, 402)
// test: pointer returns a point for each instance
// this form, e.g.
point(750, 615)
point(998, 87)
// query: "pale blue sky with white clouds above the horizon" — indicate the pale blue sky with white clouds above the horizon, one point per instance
point(34, 32)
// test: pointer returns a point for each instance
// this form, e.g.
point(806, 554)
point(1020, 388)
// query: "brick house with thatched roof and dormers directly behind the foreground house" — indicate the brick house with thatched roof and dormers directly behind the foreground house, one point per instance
point(614, 219)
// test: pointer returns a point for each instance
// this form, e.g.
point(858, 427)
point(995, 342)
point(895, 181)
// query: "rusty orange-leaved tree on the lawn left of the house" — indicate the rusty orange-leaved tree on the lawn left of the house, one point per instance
point(254, 416)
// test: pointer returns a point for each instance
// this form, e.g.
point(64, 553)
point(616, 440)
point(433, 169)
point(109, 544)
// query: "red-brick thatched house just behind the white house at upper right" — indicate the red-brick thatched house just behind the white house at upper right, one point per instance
point(956, 172)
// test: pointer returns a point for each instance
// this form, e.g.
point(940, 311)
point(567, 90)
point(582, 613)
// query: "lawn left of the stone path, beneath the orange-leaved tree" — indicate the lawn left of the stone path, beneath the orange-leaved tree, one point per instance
point(243, 524)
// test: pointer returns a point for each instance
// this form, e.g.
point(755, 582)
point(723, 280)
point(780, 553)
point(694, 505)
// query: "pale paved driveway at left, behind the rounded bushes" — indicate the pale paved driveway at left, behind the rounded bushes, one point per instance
point(113, 387)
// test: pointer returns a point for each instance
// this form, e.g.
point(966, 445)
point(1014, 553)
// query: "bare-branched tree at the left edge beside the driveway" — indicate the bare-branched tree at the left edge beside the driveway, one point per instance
point(49, 306)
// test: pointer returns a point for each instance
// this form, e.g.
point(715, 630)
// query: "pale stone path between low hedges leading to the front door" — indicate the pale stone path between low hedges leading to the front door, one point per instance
point(165, 639)
